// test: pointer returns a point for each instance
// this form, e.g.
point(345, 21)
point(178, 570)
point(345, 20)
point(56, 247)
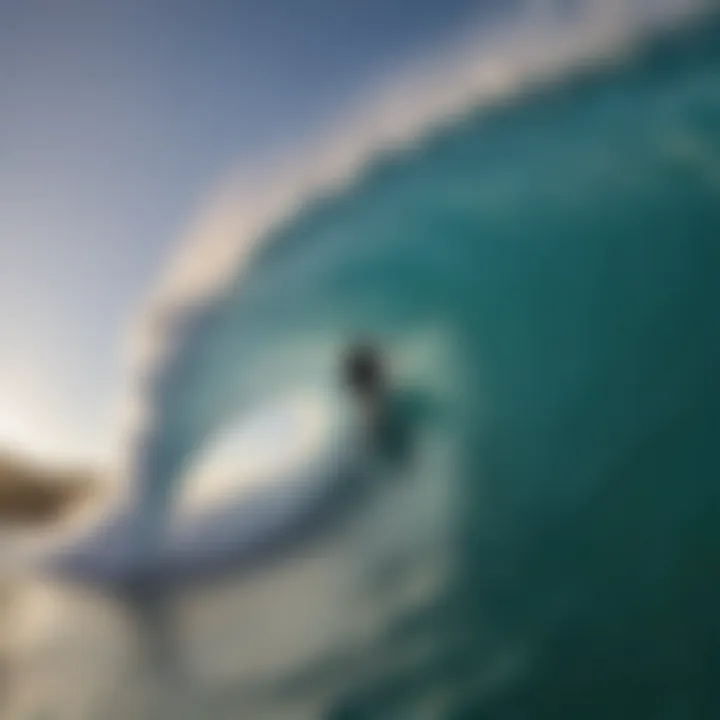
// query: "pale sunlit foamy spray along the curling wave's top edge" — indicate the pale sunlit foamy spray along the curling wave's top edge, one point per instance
point(489, 67)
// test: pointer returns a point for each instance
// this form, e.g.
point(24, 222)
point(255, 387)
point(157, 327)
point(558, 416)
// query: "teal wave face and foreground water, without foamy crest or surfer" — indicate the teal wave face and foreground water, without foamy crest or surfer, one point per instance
point(547, 270)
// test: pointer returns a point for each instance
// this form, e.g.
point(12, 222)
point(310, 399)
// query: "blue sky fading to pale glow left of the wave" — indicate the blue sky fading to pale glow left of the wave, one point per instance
point(116, 120)
